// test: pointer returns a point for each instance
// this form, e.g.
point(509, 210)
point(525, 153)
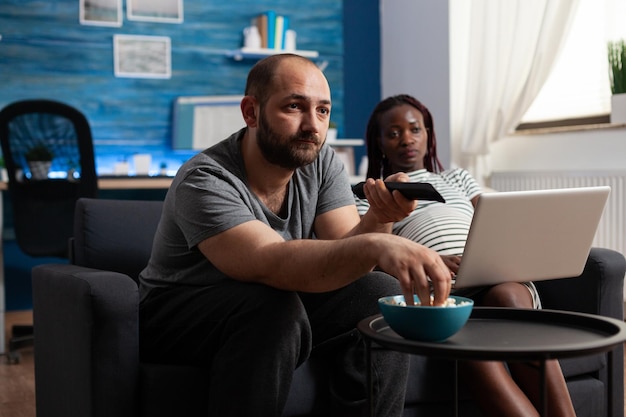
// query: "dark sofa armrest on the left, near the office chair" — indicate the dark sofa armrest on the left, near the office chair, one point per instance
point(86, 342)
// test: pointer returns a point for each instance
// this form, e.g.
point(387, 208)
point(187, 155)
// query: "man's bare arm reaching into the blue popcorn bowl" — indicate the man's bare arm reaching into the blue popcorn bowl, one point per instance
point(253, 252)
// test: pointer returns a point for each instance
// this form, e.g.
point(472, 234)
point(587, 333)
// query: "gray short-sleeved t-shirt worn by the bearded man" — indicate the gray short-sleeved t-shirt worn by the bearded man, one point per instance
point(210, 195)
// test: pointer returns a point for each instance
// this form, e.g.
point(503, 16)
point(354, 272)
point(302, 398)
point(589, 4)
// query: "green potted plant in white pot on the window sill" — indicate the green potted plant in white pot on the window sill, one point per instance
point(617, 76)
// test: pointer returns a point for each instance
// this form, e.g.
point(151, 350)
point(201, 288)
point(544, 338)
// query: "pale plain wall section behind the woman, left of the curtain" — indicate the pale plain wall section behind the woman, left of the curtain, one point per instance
point(415, 59)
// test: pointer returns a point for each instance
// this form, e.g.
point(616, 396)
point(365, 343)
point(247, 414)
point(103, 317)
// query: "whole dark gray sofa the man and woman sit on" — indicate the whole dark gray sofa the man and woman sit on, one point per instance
point(86, 340)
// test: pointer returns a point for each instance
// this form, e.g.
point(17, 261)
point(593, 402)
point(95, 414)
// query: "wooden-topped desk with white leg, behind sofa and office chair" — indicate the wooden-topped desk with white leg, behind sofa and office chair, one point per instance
point(104, 183)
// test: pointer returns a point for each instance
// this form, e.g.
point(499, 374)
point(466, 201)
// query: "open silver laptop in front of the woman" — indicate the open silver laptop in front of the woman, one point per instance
point(531, 235)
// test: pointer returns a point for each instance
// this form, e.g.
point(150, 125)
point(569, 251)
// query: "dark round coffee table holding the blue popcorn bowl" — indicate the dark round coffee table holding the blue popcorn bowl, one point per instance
point(509, 334)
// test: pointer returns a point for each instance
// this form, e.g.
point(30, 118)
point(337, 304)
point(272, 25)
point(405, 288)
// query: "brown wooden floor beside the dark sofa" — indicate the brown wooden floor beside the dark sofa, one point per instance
point(17, 382)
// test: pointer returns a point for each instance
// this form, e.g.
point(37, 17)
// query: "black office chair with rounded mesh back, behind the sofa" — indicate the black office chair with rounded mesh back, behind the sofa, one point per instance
point(43, 202)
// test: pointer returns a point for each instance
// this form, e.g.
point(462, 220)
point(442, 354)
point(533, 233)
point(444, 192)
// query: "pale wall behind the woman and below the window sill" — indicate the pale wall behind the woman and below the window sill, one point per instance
point(415, 59)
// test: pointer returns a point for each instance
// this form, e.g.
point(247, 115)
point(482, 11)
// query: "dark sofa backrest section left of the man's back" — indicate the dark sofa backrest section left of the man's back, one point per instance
point(114, 235)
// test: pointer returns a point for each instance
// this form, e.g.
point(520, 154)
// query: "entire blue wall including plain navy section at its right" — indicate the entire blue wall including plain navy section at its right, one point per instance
point(46, 53)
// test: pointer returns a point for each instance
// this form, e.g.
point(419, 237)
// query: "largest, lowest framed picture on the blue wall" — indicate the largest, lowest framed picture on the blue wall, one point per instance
point(136, 56)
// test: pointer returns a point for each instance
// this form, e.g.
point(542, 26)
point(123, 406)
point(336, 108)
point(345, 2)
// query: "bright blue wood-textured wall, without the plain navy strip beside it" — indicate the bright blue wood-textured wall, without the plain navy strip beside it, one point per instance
point(46, 53)
